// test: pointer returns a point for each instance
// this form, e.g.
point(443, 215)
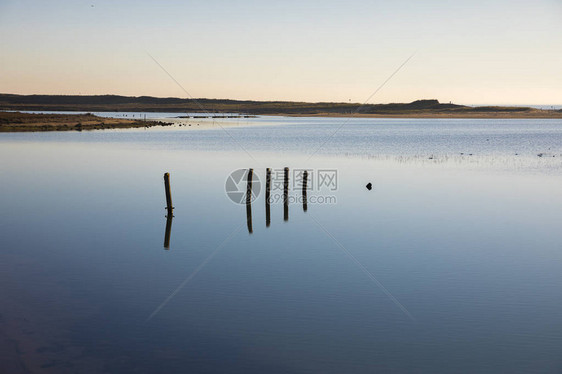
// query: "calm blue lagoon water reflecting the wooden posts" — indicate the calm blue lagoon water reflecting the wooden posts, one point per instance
point(452, 263)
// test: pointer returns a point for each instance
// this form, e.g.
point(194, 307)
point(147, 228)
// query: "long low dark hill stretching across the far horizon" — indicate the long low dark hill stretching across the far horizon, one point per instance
point(174, 104)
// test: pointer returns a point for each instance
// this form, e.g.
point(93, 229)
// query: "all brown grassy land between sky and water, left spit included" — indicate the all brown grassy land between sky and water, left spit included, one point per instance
point(11, 121)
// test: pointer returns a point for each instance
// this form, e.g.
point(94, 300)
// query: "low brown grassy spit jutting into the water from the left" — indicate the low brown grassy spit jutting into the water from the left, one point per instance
point(27, 122)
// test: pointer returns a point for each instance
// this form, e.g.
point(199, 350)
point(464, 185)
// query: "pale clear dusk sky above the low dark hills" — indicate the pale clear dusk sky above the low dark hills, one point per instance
point(467, 52)
